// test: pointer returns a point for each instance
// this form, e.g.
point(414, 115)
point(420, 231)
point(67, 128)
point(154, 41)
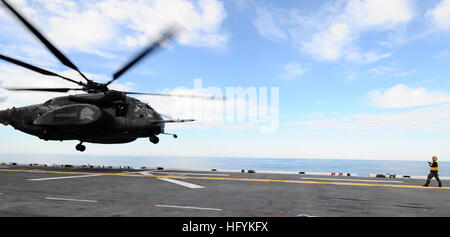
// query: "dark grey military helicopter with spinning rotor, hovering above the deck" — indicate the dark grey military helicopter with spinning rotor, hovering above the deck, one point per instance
point(101, 116)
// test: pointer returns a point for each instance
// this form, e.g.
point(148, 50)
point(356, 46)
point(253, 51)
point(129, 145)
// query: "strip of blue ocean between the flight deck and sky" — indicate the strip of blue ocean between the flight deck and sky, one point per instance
point(360, 167)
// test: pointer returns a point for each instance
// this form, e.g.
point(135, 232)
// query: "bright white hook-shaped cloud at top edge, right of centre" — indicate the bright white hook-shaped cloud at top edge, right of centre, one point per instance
point(357, 17)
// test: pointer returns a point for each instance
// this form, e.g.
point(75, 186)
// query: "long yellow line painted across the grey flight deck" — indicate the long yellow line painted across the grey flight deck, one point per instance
point(230, 179)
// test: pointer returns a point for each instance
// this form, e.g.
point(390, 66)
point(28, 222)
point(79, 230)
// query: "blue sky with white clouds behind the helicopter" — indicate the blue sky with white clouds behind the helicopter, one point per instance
point(360, 79)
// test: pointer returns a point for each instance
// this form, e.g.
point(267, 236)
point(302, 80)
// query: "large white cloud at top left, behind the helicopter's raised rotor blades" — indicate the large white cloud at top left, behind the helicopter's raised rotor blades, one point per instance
point(98, 26)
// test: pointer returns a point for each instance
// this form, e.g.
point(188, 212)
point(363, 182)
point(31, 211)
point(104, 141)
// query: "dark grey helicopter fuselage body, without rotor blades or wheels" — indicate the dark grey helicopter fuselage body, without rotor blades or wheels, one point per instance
point(93, 118)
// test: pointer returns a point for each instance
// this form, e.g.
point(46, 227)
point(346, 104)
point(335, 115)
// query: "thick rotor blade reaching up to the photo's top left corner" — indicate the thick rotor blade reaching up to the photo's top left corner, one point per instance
point(50, 46)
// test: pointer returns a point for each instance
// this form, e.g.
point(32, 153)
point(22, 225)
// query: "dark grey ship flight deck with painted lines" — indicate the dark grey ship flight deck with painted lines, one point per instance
point(161, 192)
